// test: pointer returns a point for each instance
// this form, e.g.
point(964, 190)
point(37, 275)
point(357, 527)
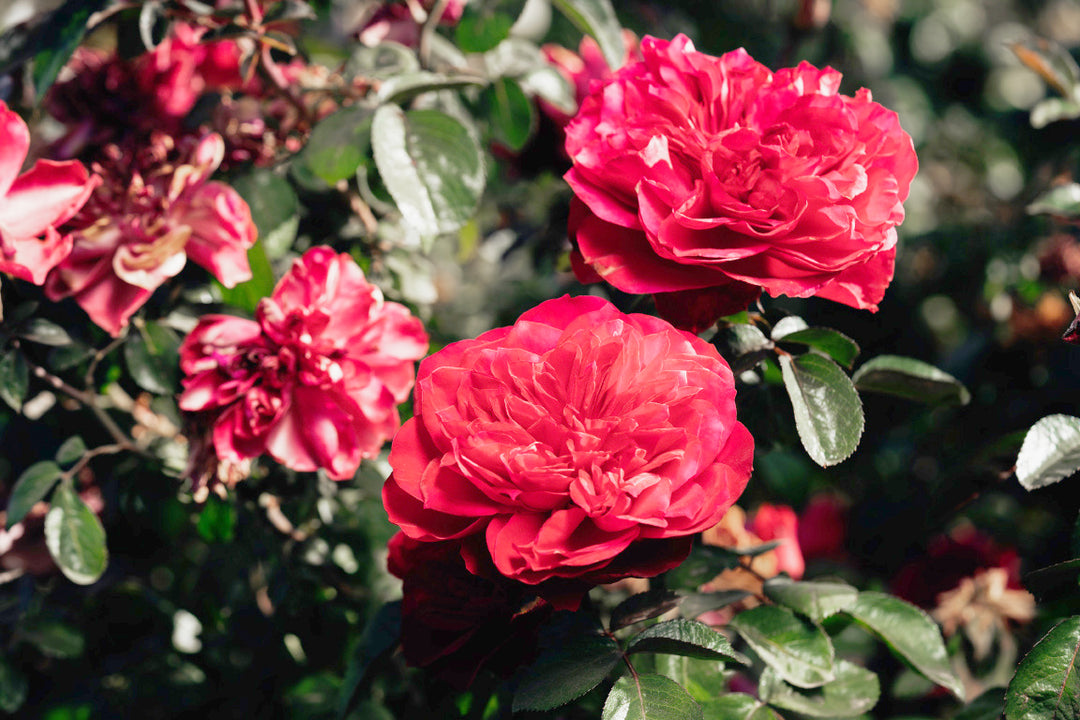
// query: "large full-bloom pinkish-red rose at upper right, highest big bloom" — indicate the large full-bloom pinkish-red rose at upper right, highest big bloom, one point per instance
point(713, 176)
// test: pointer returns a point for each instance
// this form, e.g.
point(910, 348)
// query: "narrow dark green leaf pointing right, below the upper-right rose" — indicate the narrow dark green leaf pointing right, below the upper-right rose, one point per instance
point(911, 379)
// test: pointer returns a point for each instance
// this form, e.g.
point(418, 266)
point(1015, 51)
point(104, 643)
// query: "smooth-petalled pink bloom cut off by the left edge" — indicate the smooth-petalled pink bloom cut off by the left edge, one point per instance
point(35, 203)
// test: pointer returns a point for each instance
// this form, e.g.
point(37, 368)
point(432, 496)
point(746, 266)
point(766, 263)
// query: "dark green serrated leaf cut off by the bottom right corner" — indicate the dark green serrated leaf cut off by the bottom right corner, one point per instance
point(1047, 685)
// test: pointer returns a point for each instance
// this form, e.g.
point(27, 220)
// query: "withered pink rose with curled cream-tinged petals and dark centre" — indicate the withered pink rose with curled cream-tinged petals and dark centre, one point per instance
point(157, 209)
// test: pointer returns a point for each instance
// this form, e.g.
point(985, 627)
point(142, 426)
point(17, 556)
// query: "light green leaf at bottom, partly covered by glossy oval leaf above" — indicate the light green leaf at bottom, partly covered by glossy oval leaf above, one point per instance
point(855, 691)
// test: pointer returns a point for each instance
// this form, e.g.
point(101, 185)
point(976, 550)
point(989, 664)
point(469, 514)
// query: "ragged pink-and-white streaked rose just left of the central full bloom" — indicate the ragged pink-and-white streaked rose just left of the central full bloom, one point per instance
point(316, 381)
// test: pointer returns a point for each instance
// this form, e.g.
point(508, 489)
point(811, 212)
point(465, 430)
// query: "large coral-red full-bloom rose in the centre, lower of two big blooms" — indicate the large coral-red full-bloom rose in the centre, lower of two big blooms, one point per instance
point(579, 444)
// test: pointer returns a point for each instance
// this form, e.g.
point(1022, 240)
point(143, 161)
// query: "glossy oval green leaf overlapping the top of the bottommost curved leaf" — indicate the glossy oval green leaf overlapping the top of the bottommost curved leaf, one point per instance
point(801, 653)
